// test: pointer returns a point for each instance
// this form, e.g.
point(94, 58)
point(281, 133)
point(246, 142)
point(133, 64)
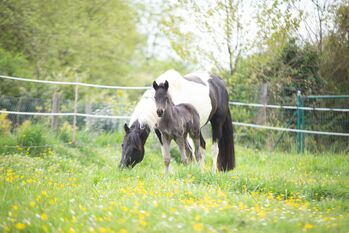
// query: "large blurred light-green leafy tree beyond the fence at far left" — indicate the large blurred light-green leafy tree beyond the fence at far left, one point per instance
point(95, 38)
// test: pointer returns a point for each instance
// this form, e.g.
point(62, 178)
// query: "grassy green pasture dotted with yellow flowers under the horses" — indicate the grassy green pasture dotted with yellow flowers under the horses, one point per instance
point(80, 189)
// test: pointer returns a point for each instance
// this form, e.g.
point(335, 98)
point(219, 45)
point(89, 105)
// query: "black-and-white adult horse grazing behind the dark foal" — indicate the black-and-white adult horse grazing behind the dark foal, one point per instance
point(207, 93)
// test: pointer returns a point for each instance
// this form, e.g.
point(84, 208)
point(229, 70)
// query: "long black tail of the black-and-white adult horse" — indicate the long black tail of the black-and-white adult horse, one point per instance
point(226, 155)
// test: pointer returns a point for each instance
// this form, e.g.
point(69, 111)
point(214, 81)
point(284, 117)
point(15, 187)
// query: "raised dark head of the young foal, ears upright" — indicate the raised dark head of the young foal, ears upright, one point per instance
point(162, 98)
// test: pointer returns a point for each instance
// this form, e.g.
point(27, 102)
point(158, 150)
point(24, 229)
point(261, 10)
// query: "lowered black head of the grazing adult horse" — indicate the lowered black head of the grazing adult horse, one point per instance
point(133, 145)
